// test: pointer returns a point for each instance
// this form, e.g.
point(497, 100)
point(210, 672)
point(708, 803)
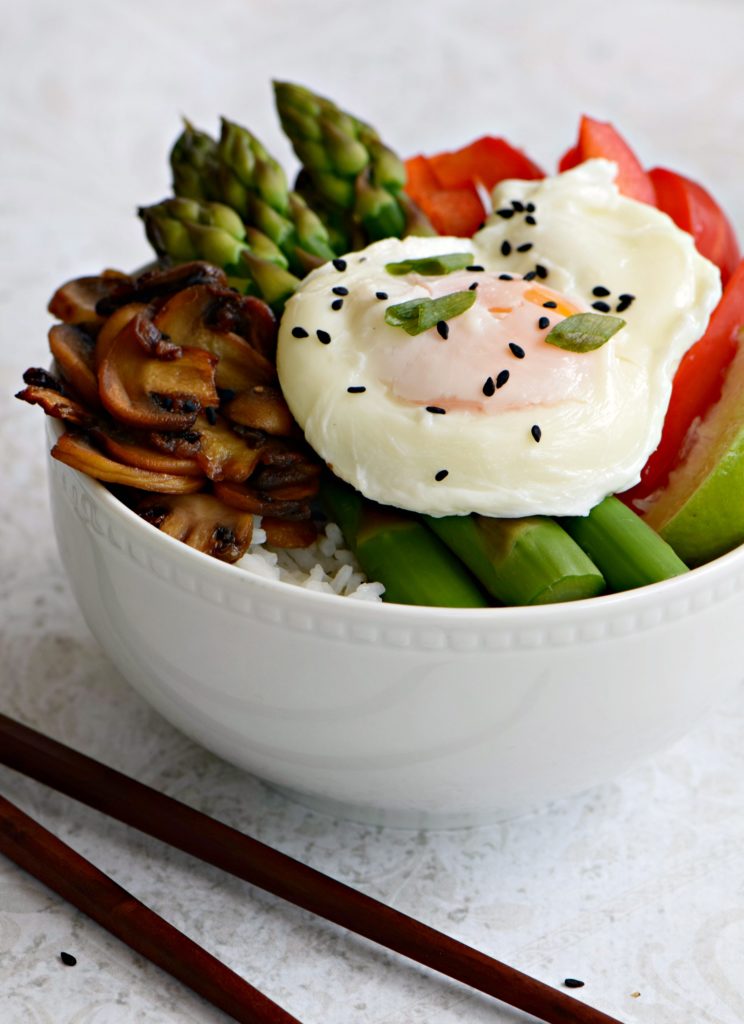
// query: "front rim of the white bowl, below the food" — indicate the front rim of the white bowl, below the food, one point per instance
point(518, 616)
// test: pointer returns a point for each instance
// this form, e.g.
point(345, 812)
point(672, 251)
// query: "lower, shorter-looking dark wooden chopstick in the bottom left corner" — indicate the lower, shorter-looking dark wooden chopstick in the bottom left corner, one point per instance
point(40, 854)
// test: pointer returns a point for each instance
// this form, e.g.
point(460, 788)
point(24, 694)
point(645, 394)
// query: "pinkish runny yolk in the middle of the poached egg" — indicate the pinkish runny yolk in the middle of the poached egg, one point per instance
point(493, 359)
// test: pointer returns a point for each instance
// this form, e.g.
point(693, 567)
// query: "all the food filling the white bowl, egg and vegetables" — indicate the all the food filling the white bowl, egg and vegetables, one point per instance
point(482, 378)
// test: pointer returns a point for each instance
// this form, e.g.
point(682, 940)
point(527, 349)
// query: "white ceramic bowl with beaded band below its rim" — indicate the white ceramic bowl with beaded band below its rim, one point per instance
point(419, 717)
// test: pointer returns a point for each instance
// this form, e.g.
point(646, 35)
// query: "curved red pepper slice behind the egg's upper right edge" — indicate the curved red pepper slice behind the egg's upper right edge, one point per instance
point(694, 210)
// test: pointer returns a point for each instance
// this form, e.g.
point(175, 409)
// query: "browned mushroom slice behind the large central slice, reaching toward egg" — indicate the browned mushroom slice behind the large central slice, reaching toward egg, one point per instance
point(184, 319)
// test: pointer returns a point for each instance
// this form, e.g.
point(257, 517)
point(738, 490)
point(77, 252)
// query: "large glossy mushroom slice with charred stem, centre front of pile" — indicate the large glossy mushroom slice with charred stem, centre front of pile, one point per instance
point(154, 394)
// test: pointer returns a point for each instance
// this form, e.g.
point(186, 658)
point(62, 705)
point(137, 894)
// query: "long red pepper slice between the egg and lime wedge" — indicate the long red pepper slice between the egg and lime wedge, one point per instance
point(697, 387)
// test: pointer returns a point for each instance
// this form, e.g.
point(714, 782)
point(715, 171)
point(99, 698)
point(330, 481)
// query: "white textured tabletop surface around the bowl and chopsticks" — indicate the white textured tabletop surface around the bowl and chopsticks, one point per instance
point(638, 887)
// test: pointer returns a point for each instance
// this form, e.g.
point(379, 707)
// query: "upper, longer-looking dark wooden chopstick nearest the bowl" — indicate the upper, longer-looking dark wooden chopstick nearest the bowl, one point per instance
point(115, 794)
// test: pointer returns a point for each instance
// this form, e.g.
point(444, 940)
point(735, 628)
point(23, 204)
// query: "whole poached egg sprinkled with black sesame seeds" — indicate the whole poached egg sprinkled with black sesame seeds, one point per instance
point(480, 413)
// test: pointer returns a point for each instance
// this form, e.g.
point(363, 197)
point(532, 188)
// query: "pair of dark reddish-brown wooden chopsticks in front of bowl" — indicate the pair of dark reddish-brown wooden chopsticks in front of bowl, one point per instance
point(59, 867)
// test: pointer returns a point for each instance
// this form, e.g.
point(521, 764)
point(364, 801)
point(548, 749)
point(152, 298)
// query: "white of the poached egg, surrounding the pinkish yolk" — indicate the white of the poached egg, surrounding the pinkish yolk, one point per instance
point(586, 235)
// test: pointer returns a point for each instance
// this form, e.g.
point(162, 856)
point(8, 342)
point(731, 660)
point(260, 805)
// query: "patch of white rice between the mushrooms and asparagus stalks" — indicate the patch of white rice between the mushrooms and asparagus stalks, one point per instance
point(326, 567)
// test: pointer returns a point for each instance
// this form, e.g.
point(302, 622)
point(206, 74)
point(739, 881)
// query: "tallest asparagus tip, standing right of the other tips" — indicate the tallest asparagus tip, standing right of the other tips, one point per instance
point(348, 167)
